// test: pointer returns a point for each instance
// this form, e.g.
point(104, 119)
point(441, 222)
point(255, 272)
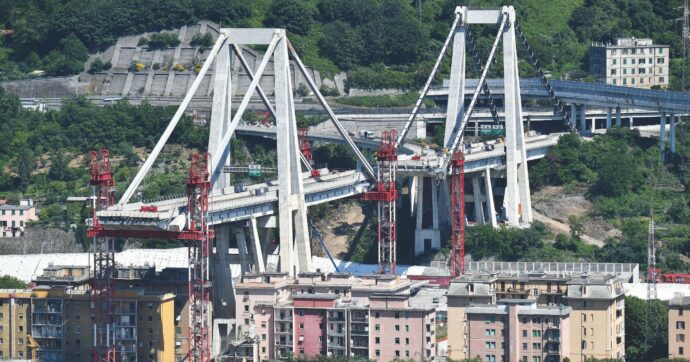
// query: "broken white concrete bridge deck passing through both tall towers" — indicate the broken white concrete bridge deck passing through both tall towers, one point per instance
point(259, 200)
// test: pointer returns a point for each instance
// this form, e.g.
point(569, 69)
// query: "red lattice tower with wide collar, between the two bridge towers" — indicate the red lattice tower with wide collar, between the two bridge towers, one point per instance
point(386, 194)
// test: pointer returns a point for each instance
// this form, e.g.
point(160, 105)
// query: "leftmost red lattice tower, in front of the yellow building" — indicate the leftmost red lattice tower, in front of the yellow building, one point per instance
point(103, 293)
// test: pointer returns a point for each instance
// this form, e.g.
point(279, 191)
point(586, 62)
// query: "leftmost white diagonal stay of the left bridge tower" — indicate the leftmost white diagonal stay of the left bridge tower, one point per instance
point(222, 38)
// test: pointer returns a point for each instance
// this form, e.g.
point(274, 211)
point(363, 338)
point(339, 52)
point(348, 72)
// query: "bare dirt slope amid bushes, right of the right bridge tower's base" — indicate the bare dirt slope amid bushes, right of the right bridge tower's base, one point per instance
point(555, 203)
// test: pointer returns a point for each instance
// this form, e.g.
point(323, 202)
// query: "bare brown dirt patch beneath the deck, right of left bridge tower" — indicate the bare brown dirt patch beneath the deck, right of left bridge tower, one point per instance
point(335, 231)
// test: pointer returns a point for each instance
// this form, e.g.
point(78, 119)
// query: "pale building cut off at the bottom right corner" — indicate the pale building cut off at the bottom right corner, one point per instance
point(678, 324)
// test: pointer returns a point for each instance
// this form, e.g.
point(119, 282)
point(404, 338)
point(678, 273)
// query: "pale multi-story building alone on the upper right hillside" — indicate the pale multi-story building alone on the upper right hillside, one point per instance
point(631, 62)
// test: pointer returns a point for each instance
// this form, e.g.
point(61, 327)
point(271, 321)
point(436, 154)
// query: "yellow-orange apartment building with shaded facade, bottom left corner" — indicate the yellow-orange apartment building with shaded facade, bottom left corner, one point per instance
point(59, 319)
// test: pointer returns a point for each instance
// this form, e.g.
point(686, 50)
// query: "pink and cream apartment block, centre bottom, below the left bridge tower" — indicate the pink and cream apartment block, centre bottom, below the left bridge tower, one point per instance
point(373, 317)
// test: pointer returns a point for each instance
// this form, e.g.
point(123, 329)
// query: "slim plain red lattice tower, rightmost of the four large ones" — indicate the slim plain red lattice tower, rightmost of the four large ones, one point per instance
point(457, 199)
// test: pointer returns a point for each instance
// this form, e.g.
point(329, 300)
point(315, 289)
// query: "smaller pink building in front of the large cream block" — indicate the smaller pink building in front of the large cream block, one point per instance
point(518, 330)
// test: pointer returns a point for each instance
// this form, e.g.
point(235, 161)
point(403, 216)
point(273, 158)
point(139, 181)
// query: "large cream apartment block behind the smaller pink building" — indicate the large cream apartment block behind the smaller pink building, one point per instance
point(596, 302)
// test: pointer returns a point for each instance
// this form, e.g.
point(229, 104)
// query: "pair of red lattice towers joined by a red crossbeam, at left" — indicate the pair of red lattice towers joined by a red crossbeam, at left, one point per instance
point(196, 233)
